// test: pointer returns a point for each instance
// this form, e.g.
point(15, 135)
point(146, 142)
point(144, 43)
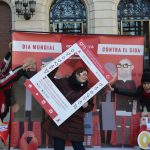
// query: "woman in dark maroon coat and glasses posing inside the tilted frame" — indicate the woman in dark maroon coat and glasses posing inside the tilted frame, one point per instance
point(73, 128)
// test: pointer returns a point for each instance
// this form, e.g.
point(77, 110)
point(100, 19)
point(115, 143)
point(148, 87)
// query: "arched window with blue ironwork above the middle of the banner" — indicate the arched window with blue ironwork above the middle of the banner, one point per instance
point(68, 16)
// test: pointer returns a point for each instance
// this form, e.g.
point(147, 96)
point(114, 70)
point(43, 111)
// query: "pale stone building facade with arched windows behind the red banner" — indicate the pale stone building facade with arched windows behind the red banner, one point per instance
point(78, 16)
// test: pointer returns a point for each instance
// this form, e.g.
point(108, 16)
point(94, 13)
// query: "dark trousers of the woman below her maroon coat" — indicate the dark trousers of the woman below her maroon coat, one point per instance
point(59, 144)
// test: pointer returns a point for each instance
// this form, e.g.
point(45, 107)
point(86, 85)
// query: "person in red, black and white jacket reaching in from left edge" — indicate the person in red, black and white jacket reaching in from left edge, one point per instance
point(7, 78)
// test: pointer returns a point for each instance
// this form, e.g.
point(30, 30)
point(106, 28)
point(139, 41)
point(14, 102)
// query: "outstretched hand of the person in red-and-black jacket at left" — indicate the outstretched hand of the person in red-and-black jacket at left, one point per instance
point(29, 64)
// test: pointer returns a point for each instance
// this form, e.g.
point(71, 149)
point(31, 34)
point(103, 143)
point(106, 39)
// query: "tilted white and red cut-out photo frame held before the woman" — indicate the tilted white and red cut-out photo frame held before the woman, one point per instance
point(49, 96)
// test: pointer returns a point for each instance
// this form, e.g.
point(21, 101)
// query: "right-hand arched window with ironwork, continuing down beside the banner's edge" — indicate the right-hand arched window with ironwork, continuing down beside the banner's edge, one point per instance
point(134, 19)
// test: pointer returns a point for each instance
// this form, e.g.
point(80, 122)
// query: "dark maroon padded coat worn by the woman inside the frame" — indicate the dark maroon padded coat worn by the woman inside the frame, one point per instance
point(73, 128)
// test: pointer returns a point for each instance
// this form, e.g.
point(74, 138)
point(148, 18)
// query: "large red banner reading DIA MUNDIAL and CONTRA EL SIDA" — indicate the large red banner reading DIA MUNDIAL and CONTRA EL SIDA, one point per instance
point(109, 51)
